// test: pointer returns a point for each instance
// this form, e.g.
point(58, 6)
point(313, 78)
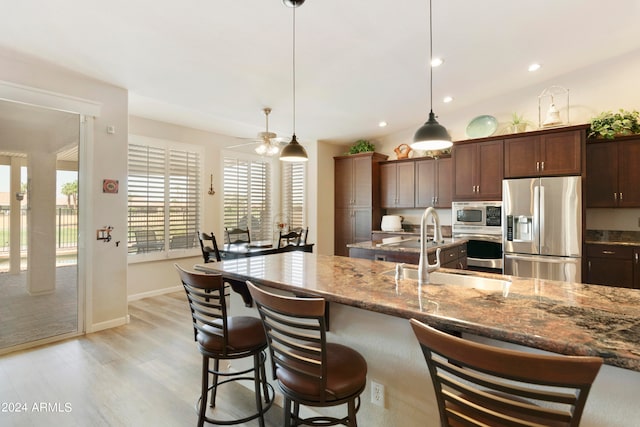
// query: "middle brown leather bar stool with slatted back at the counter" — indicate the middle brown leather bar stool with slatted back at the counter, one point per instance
point(310, 371)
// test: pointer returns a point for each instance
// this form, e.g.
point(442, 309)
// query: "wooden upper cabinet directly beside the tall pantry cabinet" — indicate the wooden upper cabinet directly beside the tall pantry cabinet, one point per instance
point(397, 184)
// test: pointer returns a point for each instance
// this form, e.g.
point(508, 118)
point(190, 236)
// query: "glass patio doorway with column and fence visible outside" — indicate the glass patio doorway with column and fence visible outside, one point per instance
point(39, 165)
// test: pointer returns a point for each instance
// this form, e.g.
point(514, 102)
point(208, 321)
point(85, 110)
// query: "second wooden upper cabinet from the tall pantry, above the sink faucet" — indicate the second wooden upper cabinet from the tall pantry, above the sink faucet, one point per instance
point(433, 183)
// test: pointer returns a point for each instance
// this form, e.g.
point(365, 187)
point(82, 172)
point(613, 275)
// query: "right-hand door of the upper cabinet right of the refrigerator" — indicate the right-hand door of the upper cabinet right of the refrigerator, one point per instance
point(629, 173)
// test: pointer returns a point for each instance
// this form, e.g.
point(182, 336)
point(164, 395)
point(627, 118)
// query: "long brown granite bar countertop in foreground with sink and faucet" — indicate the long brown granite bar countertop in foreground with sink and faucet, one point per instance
point(561, 317)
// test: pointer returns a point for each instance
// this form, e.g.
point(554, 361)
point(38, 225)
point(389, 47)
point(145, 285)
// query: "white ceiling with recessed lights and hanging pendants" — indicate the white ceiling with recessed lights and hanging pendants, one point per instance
point(213, 64)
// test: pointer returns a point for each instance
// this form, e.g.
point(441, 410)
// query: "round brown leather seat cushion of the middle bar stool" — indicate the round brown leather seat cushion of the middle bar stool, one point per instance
point(346, 375)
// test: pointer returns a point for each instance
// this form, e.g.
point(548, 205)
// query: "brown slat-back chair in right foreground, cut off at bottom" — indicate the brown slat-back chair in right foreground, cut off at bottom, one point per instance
point(477, 384)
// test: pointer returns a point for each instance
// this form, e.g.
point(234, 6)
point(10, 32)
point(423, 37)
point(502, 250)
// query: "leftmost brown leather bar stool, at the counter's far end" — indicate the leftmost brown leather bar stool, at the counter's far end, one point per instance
point(221, 337)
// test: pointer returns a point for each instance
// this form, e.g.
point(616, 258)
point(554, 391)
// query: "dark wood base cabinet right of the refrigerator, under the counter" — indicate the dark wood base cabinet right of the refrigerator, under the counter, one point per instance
point(612, 265)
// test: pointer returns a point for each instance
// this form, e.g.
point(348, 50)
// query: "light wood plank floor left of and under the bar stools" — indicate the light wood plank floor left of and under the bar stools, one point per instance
point(146, 373)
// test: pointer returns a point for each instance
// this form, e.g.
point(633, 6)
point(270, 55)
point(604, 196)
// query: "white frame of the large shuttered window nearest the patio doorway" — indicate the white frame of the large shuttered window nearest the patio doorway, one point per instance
point(167, 146)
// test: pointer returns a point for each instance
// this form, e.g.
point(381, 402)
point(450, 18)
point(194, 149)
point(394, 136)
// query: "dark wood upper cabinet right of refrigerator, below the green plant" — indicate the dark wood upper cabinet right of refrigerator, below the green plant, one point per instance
point(613, 173)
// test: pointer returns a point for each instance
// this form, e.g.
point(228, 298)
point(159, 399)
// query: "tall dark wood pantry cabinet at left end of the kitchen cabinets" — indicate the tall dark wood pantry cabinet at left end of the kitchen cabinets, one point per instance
point(357, 198)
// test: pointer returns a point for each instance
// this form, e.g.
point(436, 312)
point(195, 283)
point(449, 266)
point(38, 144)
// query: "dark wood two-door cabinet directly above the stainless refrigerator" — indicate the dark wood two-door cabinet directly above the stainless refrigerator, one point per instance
point(544, 154)
